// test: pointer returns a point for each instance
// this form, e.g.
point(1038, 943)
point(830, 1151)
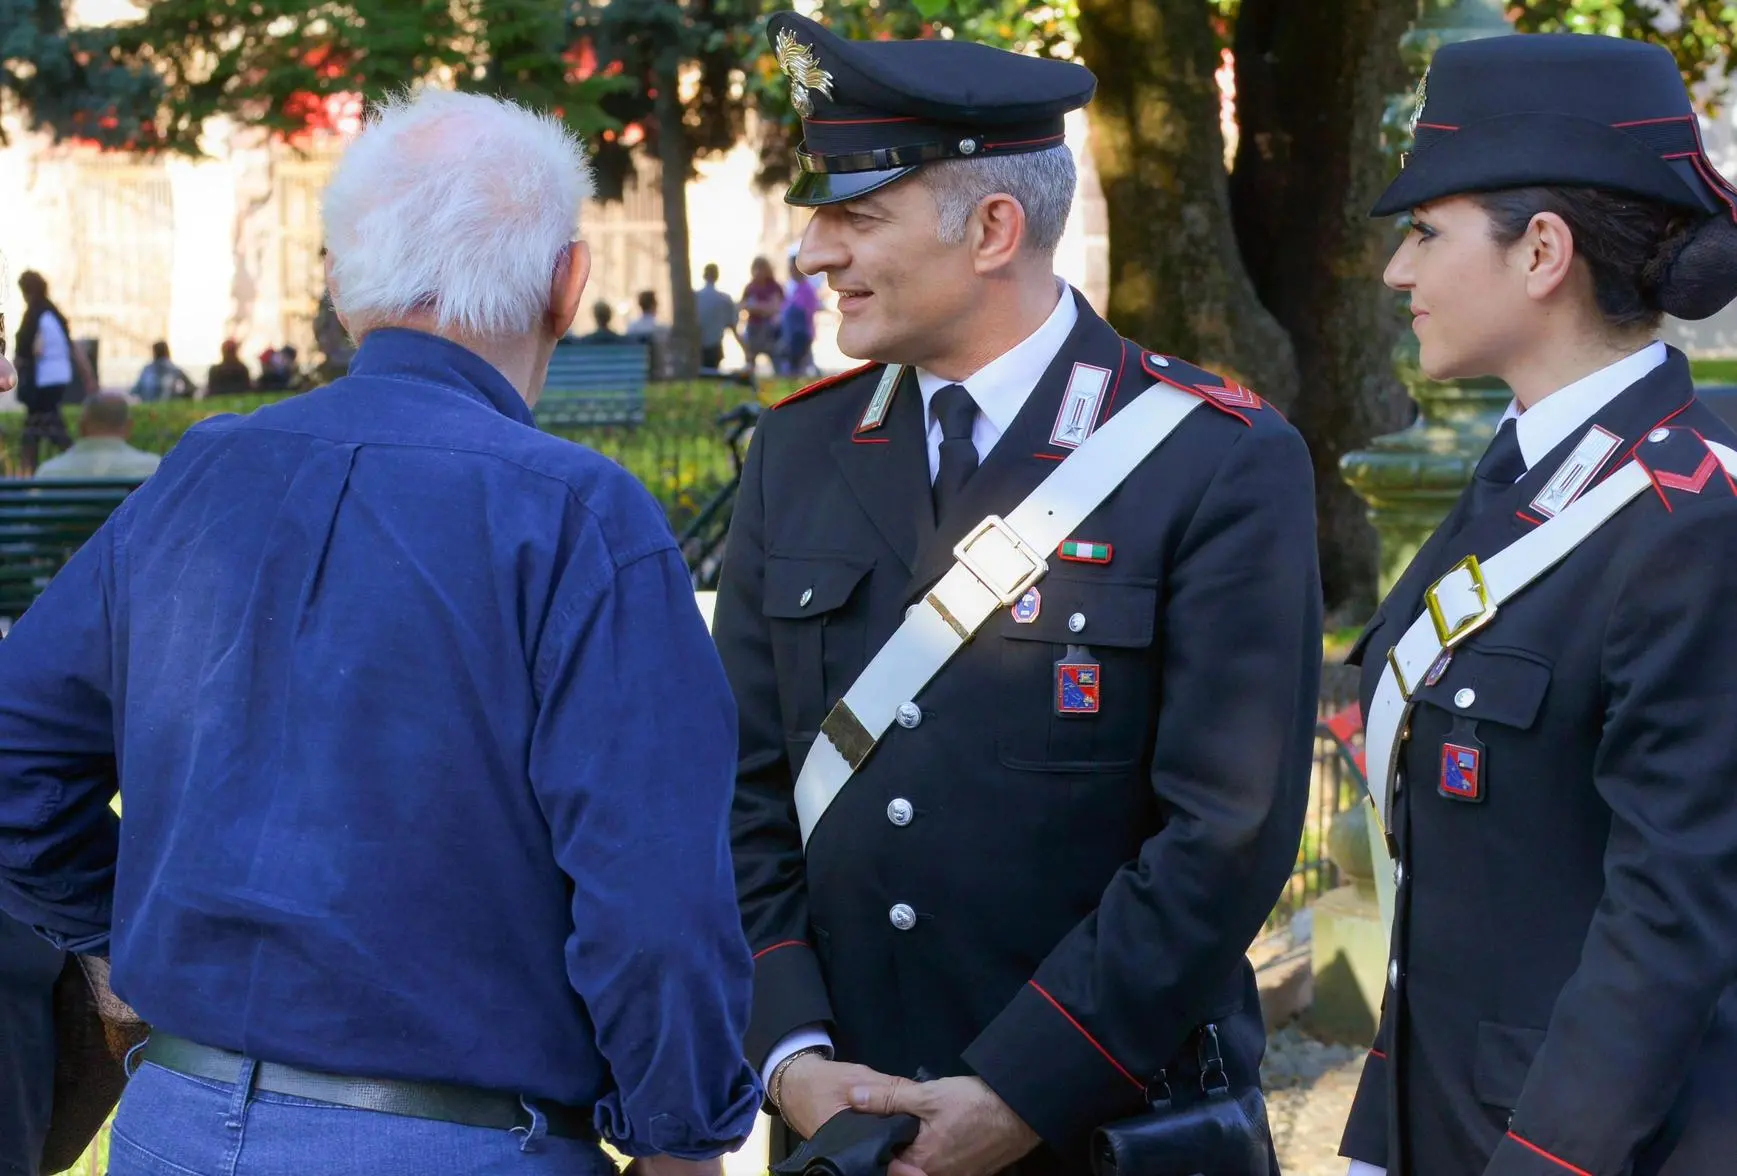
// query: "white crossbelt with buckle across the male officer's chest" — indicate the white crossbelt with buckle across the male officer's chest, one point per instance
point(998, 564)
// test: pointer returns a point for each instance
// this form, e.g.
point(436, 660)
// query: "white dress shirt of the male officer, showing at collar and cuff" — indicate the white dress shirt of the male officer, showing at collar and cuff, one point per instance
point(1000, 390)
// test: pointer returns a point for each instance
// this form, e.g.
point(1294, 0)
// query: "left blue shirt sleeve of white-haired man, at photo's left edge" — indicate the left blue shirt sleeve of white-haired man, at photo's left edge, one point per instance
point(58, 769)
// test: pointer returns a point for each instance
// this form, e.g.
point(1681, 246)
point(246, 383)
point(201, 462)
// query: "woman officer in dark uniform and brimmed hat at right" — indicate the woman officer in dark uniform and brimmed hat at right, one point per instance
point(1557, 671)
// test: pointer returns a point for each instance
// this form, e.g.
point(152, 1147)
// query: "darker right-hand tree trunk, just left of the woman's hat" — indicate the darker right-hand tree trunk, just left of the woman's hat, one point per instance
point(1312, 83)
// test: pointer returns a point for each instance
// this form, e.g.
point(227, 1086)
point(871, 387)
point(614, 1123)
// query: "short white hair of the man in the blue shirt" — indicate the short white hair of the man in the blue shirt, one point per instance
point(458, 206)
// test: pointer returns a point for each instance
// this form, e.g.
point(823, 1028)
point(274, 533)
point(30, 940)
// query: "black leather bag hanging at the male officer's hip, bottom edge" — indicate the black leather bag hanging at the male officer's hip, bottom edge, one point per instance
point(1215, 1133)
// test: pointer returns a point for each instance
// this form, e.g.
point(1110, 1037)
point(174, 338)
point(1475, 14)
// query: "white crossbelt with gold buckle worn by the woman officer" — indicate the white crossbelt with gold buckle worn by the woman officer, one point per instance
point(1467, 598)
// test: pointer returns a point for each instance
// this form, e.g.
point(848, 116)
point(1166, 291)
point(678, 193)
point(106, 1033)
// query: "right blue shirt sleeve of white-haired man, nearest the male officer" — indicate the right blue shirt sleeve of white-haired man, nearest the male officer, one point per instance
point(633, 765)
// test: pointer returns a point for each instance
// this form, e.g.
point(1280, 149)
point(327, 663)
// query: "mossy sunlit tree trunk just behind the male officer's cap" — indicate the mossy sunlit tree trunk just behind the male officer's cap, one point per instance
point(1177, 279)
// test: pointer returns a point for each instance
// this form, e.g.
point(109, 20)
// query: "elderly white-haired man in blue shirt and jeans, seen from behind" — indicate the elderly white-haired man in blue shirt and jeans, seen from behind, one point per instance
point(425, 746)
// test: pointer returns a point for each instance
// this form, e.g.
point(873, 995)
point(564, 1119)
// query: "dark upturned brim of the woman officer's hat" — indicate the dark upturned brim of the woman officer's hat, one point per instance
point(1526, 150)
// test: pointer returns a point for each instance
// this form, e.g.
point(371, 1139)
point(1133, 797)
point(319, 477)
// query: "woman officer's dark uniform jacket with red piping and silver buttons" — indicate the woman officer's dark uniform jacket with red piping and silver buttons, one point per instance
point(1566, 925)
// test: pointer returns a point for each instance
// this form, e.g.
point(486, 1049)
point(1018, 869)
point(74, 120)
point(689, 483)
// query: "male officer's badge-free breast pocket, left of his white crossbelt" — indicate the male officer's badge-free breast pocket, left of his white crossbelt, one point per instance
point(817, 635)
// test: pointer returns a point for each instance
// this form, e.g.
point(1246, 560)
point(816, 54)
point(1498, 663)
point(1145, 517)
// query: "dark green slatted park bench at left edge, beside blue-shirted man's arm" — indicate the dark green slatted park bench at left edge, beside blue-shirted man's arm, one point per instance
point(43, 524)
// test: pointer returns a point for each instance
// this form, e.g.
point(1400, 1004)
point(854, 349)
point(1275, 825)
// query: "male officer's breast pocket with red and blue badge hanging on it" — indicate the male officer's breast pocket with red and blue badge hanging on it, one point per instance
point(1053, 722)
